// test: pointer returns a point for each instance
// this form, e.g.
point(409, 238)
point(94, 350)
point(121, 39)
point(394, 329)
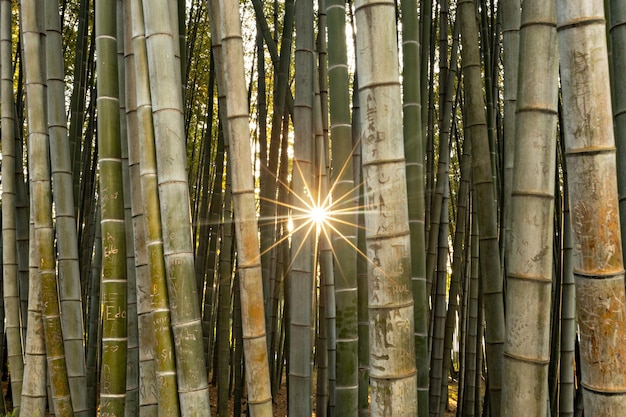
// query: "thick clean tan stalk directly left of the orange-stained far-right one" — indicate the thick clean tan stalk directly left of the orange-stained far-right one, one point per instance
point(530, 259)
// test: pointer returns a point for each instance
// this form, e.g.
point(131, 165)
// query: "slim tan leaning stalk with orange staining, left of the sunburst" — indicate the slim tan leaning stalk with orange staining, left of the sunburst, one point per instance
point(248, 255)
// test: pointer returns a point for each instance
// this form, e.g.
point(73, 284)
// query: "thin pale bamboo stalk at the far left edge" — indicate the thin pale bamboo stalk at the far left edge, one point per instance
point(10, 279)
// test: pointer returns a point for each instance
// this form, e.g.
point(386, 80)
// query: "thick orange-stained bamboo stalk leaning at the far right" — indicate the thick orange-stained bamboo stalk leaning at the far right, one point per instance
point(592, 181)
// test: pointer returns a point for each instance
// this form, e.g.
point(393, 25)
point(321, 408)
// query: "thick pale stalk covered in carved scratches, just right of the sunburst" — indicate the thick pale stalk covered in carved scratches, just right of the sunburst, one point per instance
point(392, 352)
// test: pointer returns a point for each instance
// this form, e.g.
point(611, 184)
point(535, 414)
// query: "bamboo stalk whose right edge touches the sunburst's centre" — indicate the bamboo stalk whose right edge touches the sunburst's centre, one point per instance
point(302, 254)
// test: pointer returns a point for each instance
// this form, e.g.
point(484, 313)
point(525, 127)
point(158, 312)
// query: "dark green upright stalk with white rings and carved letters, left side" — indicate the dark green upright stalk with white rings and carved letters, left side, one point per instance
point(114, 267)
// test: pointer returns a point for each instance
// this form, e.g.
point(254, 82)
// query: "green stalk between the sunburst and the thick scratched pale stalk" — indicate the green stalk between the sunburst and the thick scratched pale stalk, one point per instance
point(344, 199)
